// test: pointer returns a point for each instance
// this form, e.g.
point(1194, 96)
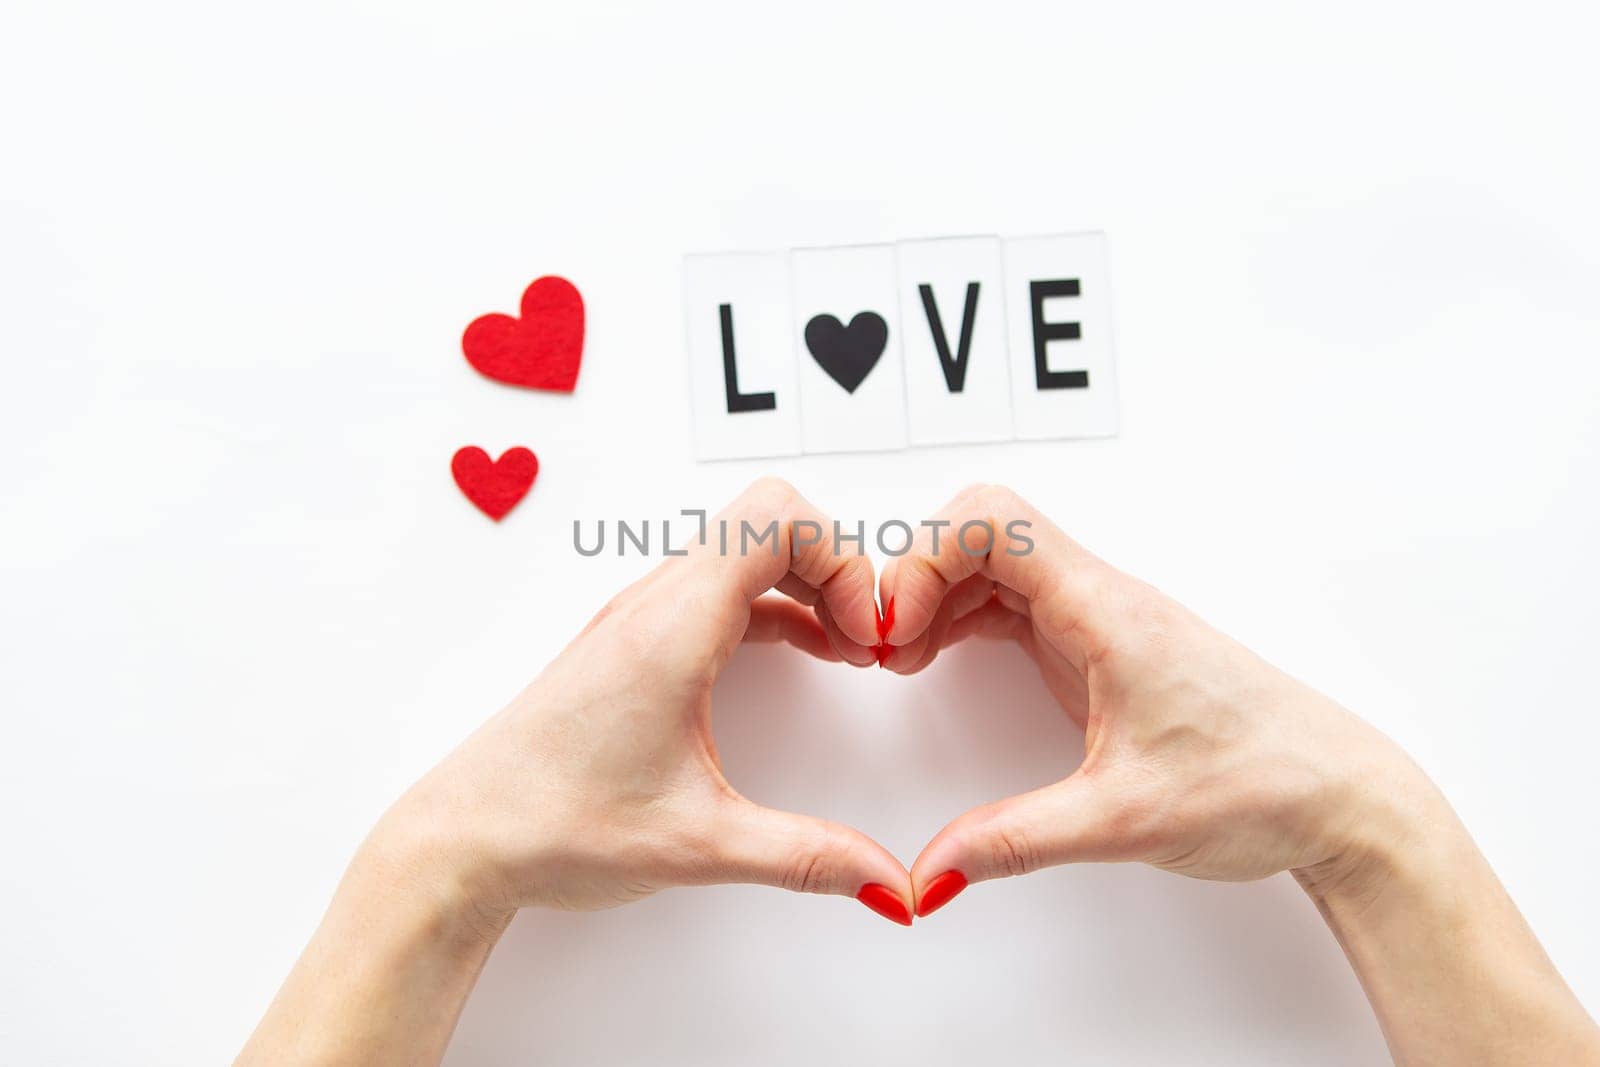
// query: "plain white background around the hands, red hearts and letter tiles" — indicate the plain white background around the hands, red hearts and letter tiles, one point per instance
point(242, 605)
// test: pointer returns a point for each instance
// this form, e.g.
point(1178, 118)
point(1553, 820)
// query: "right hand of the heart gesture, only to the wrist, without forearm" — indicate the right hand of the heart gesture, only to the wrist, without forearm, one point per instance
point(1199, 757)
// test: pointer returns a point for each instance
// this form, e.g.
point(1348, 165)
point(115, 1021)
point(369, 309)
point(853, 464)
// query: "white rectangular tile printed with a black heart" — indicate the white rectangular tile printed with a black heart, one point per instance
point(846, 282)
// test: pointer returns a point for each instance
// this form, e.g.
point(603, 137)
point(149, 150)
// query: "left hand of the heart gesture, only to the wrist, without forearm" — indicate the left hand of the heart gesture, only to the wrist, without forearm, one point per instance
point(601, 783)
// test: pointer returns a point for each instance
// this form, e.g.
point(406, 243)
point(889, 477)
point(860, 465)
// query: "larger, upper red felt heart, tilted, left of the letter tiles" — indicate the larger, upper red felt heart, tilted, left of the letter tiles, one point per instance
point(542, 350)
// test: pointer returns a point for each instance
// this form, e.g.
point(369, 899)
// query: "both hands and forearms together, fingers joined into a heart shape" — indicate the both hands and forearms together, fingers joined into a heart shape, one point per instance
point(602, 785)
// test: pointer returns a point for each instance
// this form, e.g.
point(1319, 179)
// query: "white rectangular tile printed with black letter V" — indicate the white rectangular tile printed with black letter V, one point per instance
point(982, 412)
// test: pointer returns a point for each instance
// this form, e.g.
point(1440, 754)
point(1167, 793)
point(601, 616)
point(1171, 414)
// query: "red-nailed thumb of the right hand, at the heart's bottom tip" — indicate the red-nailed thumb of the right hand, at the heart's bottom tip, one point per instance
point(1071, 821)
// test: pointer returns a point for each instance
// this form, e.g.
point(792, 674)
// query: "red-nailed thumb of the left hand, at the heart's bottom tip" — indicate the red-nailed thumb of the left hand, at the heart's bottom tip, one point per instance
point(804, 855)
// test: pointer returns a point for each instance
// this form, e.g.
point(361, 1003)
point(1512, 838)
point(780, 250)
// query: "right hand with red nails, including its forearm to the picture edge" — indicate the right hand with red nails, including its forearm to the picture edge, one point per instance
point(1206, 761)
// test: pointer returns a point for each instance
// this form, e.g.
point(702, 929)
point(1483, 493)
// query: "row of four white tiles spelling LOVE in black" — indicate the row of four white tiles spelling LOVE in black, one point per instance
point(889, 346)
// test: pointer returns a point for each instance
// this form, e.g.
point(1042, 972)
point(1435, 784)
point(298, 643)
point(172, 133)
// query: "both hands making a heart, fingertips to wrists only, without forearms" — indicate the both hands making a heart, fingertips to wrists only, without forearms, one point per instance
point(1199, 757)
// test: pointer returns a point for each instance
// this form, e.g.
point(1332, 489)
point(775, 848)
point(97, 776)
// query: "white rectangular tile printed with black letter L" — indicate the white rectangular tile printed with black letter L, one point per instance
point(756, 290)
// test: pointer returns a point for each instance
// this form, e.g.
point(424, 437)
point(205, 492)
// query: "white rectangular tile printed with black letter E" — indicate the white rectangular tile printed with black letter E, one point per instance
point(1062, 410)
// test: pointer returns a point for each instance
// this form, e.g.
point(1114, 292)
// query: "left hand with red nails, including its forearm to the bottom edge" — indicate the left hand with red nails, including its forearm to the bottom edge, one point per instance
point(598, 786)
